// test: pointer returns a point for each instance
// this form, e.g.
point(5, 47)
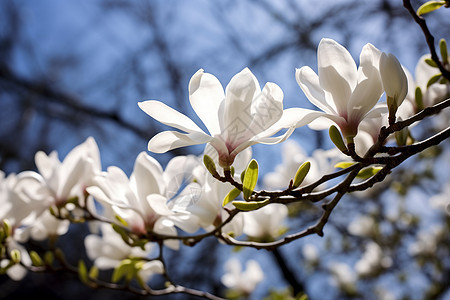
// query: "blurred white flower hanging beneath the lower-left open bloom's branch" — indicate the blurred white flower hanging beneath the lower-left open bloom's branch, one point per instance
point(109, 249)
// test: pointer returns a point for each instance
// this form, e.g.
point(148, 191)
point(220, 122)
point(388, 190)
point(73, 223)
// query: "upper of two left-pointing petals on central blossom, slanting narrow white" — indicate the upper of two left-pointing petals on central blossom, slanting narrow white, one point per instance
point(168, 116)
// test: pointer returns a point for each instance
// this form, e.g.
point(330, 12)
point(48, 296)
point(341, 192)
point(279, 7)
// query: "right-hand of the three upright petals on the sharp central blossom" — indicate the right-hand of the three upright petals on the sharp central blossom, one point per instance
point(267, 108)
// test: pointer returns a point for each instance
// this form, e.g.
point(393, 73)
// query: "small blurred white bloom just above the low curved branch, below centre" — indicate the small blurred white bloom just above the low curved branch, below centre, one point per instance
point(265, 223)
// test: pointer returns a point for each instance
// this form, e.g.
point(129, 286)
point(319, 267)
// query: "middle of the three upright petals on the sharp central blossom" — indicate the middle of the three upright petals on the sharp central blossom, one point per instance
point(237, 106)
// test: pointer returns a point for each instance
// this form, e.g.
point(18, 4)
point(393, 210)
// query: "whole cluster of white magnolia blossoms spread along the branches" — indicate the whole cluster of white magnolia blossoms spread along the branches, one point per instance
point(153, 204)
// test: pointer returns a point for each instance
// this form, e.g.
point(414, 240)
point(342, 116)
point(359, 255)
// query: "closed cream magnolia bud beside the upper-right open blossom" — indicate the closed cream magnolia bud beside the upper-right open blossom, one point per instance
point(395, 83)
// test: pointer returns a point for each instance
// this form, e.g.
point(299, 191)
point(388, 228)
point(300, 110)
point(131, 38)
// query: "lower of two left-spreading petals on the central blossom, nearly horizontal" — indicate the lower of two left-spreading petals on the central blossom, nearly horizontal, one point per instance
point(169, 140)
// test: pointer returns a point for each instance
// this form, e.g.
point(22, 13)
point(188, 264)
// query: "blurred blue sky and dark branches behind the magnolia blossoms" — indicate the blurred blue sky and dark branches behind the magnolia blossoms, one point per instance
point(74, 69)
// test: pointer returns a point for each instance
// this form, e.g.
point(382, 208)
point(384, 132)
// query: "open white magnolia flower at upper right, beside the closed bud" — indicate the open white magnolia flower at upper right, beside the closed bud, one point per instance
point(346, 94)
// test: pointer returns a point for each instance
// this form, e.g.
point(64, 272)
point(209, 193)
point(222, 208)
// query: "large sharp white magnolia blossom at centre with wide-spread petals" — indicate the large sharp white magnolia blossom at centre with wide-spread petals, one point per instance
point(241, 116)
